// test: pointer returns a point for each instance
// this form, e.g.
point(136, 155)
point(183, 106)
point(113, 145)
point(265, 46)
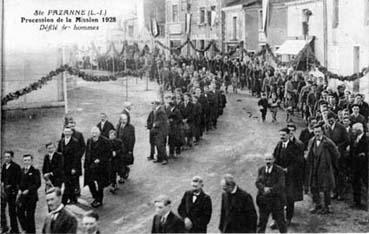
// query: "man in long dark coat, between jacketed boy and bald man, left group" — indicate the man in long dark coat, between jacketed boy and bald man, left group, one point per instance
point(70, 149)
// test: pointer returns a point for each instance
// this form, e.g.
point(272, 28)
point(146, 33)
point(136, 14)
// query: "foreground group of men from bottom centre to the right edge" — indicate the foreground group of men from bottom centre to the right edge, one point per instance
point(280, 183)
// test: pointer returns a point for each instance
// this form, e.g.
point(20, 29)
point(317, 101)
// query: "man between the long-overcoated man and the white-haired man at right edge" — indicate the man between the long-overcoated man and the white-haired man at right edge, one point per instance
point(338, 134)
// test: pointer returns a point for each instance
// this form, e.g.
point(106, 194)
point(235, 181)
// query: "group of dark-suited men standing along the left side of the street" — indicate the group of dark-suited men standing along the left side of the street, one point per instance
point(107, 156)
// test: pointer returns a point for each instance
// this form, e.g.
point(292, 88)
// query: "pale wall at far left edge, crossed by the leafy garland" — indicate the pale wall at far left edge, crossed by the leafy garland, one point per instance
point(22, 67)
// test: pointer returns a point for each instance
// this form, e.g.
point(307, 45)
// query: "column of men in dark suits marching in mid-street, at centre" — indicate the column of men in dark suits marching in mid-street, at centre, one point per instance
point(185, 114)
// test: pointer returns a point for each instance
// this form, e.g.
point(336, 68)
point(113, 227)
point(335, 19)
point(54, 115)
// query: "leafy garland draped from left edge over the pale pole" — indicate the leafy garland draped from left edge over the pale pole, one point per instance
point(72, 71)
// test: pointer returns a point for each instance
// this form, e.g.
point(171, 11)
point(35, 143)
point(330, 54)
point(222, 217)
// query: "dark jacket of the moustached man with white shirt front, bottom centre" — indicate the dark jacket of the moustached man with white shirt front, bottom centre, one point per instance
point(199, 212)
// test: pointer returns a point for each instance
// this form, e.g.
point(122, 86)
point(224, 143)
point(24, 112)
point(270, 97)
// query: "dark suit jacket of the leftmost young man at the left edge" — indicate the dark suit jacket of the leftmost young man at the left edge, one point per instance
point(11, 178)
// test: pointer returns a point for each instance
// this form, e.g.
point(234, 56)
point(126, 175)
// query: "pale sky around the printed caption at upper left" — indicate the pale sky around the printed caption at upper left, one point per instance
point(20, 35)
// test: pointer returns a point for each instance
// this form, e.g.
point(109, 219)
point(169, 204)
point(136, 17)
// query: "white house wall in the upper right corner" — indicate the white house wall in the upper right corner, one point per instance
point(351, 31)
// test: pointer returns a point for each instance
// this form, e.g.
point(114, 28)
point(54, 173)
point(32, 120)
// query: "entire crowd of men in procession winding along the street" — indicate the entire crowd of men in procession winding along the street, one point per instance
point(330, 155)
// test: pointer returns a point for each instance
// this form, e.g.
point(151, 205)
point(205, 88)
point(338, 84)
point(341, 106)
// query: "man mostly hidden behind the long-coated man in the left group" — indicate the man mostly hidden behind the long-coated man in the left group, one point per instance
point(81, 147)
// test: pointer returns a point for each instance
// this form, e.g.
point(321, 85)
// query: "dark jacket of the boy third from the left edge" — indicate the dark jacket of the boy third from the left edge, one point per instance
point(55, 166)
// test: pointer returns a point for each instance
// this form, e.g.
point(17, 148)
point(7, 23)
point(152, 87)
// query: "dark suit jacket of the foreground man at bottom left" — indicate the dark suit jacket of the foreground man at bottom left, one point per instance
point(65, 222)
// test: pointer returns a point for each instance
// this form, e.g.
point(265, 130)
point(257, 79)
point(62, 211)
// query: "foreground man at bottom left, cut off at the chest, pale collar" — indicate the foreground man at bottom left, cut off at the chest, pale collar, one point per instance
point(59, 220)
